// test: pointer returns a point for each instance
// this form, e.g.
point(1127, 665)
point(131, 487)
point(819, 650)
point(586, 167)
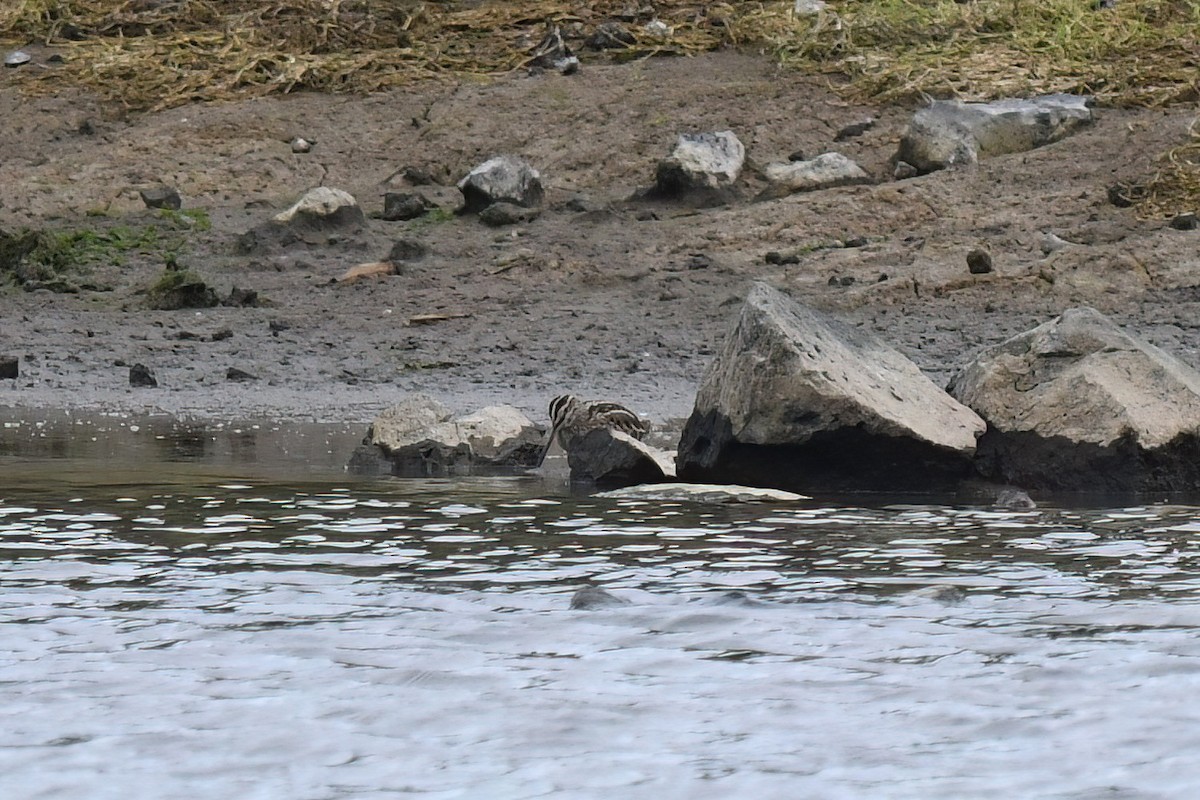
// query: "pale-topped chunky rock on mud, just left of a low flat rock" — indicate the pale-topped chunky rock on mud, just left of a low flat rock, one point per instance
point(704, 166)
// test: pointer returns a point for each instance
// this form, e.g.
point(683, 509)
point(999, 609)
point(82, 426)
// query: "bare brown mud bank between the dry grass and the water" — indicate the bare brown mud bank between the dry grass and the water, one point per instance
point(601, 297)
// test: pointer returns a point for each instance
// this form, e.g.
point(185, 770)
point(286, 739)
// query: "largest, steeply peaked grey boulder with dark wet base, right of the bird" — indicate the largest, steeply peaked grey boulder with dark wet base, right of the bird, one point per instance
point(799, 401)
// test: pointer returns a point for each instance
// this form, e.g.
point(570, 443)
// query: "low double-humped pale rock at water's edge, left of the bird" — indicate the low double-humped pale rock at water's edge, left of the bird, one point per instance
point(419, 437)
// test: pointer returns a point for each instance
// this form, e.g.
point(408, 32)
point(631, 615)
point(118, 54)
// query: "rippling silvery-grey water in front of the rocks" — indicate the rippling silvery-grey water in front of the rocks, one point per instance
point(182, 629)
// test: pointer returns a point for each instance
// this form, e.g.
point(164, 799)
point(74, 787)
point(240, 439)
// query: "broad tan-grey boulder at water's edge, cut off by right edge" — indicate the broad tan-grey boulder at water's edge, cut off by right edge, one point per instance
point(1079, 405)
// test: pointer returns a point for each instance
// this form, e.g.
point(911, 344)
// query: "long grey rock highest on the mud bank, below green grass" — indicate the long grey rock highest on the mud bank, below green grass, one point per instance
point(947, 134)
